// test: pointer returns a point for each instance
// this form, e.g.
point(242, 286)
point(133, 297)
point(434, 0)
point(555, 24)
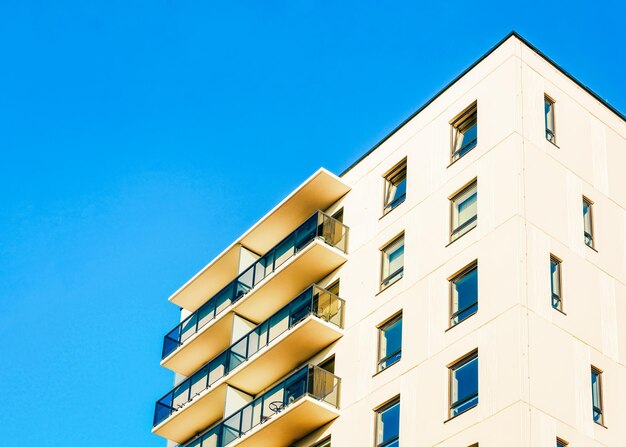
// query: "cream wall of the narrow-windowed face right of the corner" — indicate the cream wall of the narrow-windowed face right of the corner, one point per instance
point(590, 147)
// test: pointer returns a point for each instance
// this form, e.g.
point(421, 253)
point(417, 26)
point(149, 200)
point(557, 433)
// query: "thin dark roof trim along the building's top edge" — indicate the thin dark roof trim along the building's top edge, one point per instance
point(488, 53)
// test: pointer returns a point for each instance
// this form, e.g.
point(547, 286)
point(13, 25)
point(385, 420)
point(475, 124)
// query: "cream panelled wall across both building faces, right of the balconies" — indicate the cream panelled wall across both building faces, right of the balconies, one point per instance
point(534, 362)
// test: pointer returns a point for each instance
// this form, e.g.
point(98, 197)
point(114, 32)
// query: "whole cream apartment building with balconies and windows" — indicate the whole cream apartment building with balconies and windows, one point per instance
point(462, 284)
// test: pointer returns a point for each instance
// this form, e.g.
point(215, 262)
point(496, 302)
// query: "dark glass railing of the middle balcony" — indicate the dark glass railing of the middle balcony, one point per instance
point(313, 301)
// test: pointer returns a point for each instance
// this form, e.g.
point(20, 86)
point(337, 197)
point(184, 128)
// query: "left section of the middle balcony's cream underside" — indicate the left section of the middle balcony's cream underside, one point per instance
point(194, 416)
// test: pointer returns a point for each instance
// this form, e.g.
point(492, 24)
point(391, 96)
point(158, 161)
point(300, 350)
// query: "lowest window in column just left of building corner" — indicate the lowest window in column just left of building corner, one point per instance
point(464, 384)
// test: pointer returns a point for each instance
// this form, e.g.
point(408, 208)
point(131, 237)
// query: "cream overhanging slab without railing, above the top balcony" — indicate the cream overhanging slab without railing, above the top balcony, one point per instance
point(318, 192)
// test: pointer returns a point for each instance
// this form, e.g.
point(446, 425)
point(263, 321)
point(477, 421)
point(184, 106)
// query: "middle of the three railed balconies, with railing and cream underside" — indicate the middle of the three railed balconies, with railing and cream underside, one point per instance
point(309, 323)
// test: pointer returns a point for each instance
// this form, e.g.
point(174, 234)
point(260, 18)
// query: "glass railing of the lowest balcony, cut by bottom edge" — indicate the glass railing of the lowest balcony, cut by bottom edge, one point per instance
point(308, 381)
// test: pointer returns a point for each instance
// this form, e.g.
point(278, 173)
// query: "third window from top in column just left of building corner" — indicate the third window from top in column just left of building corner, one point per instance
point(464, 294)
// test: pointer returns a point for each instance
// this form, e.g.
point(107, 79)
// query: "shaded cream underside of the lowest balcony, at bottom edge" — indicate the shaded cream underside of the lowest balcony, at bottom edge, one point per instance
point(296, 421)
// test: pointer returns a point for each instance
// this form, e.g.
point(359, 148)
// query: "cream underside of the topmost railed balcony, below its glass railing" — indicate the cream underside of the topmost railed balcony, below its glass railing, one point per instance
point(311, 264)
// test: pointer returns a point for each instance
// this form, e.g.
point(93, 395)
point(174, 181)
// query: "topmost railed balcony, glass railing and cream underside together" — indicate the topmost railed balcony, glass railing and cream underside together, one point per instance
point(313, 250)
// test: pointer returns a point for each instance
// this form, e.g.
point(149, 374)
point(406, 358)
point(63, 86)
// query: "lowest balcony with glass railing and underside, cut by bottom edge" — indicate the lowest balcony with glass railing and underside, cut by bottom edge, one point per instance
point(303, 402)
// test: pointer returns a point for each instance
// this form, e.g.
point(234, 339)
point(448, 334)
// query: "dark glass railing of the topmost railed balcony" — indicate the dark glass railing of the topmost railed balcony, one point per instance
point(319, 226)
